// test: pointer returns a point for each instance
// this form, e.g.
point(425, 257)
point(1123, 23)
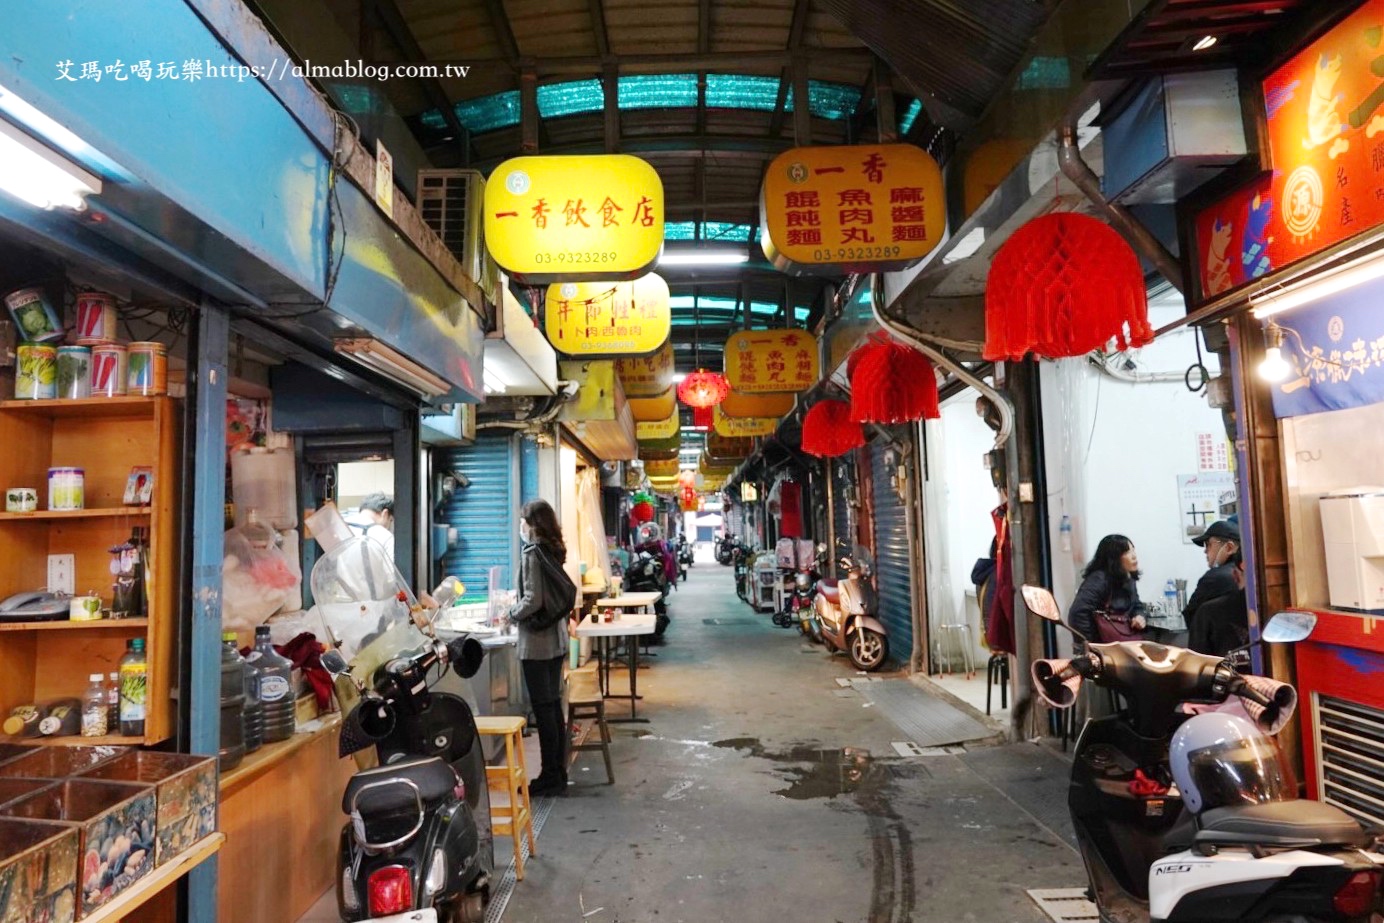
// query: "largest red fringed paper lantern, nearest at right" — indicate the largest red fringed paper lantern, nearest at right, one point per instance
point(1065, 286)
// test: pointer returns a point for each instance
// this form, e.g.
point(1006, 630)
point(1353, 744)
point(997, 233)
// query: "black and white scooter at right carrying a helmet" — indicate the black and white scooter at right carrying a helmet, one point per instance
point(1188, 819)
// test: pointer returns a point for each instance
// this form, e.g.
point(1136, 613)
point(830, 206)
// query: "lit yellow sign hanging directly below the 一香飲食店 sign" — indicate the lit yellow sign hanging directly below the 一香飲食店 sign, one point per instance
point(608, 319)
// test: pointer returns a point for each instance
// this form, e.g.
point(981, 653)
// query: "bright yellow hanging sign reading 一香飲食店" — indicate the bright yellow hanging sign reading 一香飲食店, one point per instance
point(589, 218)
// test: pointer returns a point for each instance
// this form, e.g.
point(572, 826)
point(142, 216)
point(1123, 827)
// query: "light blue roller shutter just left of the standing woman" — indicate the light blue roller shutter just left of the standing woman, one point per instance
point(485, 511)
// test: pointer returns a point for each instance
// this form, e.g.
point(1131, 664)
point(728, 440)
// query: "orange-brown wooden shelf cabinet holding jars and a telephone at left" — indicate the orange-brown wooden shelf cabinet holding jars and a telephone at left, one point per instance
point(107, 438)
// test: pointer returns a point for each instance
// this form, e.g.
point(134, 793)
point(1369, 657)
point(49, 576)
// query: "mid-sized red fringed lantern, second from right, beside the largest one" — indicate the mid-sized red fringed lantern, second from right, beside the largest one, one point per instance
point(892, 384)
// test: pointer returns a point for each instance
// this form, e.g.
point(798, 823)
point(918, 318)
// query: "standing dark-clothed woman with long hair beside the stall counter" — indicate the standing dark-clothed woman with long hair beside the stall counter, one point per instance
point(543, 651)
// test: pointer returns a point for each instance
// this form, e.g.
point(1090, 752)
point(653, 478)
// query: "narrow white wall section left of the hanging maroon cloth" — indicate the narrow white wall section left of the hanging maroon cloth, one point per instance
point(957, 515)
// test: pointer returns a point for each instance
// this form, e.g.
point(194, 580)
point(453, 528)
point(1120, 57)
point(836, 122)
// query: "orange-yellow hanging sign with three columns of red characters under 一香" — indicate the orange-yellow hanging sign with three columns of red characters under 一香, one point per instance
point(863, 208)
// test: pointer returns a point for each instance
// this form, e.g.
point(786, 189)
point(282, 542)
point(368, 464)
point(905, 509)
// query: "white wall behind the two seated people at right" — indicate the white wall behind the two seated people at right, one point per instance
point(1113, 456)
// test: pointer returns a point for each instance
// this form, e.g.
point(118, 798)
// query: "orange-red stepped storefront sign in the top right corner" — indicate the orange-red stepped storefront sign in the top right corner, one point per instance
point(1325, 116)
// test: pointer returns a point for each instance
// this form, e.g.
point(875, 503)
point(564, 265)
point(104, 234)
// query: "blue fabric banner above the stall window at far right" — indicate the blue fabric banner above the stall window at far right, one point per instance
point(1336, 349)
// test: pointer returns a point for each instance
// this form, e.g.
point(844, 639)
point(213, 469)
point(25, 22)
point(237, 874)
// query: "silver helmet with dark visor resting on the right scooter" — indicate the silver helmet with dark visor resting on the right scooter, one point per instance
point(1221, 760)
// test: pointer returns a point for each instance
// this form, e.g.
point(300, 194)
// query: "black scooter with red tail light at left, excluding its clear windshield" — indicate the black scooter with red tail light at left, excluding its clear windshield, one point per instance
point(419, 839)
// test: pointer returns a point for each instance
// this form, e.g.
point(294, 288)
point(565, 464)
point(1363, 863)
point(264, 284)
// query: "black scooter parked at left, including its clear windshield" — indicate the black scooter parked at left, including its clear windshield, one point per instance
point(419, 841)
